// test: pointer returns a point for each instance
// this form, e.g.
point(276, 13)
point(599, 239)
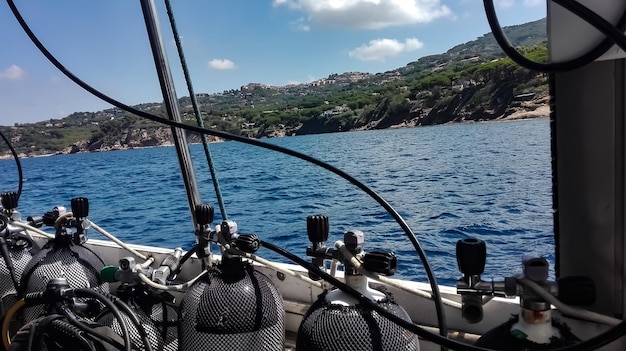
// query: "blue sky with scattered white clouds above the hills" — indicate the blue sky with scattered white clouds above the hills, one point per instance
point(227, 44)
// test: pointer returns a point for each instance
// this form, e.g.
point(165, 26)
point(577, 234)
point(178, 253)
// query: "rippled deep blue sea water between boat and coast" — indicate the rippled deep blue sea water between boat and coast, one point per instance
point(486, 180)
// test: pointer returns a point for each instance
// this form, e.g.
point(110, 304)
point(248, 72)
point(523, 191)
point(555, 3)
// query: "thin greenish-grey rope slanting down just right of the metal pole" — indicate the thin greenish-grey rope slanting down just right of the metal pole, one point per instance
point(196, 110)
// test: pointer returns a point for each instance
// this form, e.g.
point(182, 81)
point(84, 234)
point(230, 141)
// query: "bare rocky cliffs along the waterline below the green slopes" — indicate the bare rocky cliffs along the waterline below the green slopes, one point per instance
point(462, 106)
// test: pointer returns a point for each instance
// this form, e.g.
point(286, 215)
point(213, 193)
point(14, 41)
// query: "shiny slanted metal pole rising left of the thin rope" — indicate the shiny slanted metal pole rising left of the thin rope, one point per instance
point(170, 101)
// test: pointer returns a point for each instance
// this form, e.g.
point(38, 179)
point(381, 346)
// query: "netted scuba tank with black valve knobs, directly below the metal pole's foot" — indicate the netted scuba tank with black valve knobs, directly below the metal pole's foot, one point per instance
point(232, 306)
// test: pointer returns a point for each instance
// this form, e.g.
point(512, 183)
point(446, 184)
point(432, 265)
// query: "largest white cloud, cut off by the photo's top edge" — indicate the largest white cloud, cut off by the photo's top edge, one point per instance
point(369, 14)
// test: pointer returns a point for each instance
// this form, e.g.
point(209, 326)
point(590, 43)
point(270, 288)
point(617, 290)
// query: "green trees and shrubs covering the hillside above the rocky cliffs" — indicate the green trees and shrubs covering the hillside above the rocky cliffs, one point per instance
point(347, 99)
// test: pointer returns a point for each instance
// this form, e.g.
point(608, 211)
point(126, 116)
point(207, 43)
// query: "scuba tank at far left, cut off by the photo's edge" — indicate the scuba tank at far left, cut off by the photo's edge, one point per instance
point(15, 249)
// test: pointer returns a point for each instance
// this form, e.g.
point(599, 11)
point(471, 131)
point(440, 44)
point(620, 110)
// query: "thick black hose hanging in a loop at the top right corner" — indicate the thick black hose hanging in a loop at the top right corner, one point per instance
point(553, 67)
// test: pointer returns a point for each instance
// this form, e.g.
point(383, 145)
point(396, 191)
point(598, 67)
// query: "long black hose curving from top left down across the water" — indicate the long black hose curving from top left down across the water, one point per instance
point(407, 230)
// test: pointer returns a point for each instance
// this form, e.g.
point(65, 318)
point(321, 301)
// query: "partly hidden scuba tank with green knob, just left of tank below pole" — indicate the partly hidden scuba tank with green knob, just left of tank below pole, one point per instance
point(155, 309)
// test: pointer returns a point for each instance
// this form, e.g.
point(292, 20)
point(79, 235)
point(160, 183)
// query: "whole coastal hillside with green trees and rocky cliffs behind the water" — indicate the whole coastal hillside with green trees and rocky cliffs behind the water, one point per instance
point(470, 82)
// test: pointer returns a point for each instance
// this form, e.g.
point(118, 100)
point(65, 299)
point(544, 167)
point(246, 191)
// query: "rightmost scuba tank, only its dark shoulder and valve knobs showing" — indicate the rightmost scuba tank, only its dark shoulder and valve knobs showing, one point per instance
point(534, 328)
